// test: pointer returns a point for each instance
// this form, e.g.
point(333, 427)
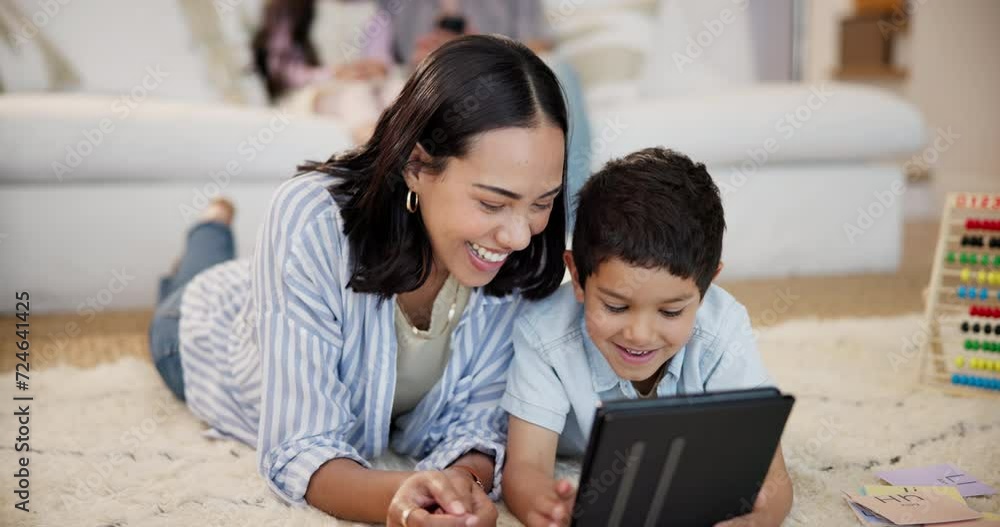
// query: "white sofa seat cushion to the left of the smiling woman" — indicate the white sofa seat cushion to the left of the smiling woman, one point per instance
point(59, 138)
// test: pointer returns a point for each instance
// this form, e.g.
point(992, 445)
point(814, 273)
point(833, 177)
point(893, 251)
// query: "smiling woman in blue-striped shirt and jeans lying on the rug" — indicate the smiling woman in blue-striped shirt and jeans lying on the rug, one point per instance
point(381, 295)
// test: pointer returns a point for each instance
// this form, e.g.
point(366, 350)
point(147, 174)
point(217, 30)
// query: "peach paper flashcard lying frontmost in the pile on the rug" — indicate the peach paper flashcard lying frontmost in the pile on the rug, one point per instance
point(915, 508)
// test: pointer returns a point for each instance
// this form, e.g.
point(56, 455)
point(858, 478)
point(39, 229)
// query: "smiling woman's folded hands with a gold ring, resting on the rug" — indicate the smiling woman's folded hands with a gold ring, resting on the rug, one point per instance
point(435, 498)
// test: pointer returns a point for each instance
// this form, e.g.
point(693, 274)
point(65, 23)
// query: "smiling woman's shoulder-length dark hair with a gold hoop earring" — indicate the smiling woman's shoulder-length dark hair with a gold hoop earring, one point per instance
point(468, 86)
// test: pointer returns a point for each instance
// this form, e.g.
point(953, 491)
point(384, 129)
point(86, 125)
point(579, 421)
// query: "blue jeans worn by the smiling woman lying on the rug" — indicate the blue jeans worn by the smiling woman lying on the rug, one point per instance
point(208, 244)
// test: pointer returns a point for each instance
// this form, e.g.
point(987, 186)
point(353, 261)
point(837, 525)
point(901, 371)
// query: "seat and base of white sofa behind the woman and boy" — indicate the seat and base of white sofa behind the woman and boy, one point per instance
point(99, 234)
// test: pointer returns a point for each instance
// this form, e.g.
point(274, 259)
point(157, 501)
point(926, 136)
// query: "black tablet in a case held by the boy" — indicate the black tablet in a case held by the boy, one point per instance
point(679, 461)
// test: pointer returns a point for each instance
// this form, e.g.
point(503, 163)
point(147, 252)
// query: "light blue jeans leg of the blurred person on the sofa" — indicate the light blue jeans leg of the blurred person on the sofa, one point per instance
point(579, 152)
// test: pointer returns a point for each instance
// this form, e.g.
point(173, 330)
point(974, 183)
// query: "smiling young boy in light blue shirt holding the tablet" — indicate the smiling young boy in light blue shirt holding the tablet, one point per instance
point(641, 319)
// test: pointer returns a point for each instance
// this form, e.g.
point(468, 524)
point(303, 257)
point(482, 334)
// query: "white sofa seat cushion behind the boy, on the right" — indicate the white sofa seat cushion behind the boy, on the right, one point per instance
point(766, 123)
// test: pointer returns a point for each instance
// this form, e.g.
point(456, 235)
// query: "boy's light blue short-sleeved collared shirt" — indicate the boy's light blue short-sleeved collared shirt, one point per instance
point(558, 375)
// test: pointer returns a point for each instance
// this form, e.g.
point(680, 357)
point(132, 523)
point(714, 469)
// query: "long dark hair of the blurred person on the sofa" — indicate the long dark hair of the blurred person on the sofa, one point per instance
point(299, 14)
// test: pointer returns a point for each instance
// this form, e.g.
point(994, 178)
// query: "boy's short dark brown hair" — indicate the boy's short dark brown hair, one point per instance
point(654, 208)
